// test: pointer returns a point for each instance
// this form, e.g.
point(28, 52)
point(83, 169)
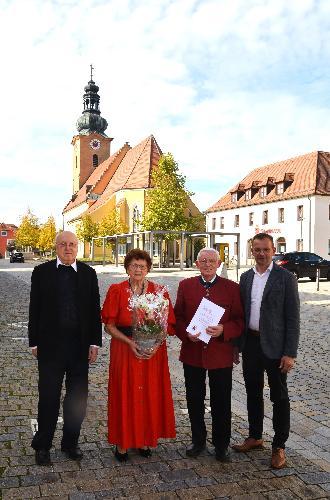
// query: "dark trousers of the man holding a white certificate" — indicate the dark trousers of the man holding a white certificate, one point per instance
point(220, 382)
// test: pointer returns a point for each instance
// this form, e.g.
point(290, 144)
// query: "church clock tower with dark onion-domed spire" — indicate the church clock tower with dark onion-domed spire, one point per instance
point(91, 146)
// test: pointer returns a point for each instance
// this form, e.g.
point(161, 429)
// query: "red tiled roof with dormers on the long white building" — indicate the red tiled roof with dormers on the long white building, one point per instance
point(304, 175)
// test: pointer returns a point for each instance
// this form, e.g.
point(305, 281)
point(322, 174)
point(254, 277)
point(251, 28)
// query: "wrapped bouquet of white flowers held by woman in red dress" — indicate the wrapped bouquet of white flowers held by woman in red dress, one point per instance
point(150, 313)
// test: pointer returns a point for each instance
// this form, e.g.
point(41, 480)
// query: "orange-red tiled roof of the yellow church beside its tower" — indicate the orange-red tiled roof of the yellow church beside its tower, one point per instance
point(133, 172)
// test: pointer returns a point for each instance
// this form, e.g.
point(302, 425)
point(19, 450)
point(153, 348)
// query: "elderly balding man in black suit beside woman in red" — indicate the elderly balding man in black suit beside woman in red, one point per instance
point(64, 333)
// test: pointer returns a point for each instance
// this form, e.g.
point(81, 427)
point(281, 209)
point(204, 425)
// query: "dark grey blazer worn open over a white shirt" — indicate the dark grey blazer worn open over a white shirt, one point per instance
point(279, 313)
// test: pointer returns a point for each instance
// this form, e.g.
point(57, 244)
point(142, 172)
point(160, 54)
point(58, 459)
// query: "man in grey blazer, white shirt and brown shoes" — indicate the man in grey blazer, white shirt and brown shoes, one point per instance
point(269, 343)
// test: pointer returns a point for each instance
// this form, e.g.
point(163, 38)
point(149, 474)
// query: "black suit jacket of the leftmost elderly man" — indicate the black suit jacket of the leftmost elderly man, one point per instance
point(43, 314)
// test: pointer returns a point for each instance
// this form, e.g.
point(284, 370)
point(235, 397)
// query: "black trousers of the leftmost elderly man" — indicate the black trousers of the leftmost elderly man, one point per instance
point(51, 375)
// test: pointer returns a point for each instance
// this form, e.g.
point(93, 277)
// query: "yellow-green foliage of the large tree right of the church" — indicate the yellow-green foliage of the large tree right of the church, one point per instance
point(167, 203)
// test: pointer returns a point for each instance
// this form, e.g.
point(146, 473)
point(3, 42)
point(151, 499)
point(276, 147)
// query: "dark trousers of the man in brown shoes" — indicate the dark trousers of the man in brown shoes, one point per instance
point(255, 364)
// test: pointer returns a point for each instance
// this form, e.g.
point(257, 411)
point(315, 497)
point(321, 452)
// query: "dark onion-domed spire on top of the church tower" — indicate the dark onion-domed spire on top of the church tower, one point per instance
point(91, 120)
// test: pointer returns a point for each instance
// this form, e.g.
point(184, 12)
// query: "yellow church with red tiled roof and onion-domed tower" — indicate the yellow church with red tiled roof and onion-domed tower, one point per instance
point(103, 181)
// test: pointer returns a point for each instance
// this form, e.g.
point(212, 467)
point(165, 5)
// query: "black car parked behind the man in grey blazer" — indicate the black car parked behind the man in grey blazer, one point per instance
point(304, 264)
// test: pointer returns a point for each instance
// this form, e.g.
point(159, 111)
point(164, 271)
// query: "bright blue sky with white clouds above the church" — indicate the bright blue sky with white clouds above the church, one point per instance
point(224, 85)
